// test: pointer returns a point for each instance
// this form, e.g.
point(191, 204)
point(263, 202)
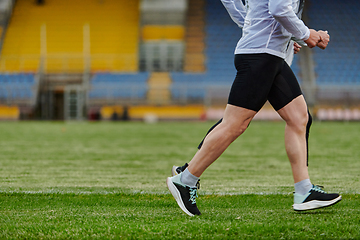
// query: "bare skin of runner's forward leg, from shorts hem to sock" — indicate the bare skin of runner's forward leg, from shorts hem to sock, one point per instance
point(296, 118)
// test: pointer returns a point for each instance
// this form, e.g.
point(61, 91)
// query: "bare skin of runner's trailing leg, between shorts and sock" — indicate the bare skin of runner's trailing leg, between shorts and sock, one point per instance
point(235, 122)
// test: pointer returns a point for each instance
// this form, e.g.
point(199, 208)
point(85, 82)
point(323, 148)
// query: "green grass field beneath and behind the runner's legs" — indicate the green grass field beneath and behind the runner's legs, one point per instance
point(107, 180)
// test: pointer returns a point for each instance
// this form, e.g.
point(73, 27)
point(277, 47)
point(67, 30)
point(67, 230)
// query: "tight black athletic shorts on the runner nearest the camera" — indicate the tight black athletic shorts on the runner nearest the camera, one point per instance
point(261, 77)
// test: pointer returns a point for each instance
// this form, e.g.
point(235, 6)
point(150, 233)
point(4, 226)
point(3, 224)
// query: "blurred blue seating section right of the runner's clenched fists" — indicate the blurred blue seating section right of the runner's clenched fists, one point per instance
point(337, 68)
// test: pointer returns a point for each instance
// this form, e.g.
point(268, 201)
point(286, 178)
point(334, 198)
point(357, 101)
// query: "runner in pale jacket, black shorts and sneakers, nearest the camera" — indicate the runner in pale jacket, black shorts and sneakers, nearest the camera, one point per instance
point(262, 74)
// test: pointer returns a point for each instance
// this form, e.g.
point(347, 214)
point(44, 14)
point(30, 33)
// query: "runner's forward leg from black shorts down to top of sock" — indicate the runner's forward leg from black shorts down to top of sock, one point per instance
point(287, 99)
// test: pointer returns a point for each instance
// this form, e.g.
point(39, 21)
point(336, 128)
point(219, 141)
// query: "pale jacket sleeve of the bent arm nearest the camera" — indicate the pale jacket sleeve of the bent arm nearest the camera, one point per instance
point(283, 12)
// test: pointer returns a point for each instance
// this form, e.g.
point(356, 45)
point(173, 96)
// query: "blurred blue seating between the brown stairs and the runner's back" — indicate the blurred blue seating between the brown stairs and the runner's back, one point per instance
point(221, 36)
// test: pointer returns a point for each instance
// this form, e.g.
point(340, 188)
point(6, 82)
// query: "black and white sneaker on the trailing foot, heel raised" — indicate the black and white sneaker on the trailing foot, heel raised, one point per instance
point(184, 195)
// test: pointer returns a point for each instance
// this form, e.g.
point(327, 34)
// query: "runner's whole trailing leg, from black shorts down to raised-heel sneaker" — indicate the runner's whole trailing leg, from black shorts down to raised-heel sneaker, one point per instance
point(255, 73)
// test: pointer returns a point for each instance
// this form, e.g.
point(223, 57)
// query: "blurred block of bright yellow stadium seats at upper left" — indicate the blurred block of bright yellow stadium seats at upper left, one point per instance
point(72, 31)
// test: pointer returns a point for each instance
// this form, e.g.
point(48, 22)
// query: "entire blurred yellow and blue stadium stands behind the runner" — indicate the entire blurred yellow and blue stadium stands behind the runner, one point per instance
point(107, 37)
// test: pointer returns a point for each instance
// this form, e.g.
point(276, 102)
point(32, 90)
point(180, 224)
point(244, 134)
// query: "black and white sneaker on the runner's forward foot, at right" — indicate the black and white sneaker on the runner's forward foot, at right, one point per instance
point(315, 198)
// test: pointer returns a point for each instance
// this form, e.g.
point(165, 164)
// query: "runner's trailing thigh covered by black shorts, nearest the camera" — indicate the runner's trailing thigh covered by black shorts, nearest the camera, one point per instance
point(254, 80)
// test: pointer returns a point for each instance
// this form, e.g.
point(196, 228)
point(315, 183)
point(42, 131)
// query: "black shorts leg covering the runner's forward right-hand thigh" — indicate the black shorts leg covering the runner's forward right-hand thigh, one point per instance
point(285, 88)
